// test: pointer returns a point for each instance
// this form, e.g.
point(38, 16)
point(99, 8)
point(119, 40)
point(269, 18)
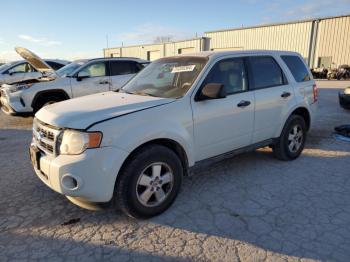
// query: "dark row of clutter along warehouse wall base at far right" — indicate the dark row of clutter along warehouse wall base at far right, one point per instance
point(340, 73)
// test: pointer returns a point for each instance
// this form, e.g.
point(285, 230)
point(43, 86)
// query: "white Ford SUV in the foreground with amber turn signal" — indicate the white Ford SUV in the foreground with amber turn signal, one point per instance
point(133, 147)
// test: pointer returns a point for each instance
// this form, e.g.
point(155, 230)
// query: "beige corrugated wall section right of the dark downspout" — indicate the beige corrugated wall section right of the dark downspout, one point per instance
point(333, 41)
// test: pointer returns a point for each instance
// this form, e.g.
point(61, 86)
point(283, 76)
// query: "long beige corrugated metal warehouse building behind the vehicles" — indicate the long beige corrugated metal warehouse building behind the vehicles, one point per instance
point(321, 41)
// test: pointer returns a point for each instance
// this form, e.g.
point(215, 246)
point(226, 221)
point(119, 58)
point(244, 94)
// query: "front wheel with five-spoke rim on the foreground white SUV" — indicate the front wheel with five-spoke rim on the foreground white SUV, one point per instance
point(142, 190)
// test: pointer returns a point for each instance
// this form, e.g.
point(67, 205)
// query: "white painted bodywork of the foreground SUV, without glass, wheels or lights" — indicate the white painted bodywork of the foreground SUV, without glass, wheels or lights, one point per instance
point(203, 129)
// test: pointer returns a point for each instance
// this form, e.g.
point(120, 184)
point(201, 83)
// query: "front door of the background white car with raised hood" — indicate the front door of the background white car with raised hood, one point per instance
point(96, 80)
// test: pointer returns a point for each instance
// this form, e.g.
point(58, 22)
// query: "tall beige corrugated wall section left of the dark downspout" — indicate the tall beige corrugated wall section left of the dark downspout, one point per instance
point(291, 37)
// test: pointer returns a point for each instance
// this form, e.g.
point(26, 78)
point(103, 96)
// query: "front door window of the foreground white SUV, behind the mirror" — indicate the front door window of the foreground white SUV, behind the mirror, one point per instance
point(230, 73)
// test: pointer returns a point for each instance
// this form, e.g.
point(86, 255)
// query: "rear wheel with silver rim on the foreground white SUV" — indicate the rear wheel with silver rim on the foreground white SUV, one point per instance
point(283, 148)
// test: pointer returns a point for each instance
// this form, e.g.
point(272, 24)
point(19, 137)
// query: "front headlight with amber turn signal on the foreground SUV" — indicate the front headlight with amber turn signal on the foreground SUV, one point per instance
point(75, 142)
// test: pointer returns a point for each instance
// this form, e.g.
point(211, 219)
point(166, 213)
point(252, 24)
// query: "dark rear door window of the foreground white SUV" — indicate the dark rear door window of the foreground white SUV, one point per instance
point(266, 72)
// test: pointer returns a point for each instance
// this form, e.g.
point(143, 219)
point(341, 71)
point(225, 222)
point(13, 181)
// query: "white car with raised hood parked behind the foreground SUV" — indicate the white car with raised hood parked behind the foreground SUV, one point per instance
point(80, 78)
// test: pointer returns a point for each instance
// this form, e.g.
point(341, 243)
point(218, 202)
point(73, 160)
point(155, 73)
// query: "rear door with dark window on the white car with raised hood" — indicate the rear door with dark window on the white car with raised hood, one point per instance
point(121, 72)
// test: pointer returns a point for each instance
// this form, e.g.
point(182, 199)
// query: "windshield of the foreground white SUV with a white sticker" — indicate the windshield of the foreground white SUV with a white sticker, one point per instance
point(168, 77)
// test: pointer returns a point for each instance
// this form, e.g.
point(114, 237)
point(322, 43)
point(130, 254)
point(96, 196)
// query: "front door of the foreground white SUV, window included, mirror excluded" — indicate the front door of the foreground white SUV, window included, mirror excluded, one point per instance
point(222, 125)
